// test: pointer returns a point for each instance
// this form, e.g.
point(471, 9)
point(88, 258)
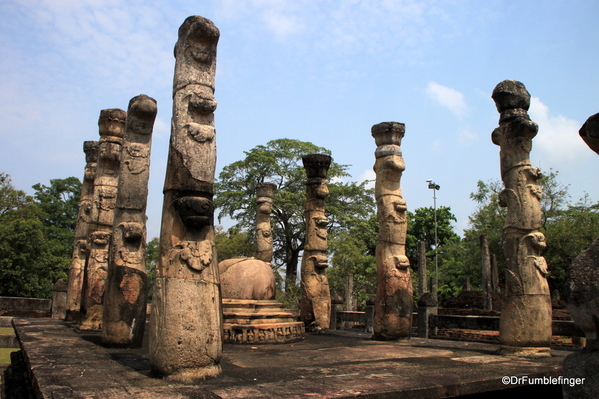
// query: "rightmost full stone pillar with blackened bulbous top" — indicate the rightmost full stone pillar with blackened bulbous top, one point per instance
point(525, 324)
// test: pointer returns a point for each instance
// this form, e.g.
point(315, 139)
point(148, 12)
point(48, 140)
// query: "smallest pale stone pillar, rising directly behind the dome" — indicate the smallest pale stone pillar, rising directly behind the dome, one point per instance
point(265, 192)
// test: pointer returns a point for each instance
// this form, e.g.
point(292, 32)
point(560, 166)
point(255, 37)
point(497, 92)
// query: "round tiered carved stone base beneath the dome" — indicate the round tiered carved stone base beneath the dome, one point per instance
point(249, 321)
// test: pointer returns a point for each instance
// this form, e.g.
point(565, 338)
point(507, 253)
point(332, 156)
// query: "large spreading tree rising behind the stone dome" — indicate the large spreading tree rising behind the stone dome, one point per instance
point(280, 162)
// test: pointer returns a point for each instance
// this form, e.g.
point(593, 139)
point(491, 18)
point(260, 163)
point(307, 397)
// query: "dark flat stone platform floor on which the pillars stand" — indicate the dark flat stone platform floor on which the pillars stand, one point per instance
point(65, 364)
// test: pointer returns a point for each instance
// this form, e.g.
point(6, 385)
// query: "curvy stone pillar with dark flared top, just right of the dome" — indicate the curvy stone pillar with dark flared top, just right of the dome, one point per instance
point(315, 301)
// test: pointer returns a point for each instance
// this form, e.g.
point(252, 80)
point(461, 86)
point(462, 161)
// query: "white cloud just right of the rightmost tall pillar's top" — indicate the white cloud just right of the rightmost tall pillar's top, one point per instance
point(558, 140)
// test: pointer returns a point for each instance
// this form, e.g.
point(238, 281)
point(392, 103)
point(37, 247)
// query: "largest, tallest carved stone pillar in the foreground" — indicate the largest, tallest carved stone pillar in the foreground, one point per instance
point(186, 322)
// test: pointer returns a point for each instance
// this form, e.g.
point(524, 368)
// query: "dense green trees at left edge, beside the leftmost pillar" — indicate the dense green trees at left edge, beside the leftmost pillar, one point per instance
point(36, 237)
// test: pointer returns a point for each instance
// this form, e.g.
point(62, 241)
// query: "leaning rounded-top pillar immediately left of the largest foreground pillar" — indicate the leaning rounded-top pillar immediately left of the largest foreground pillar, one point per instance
point(126, 288)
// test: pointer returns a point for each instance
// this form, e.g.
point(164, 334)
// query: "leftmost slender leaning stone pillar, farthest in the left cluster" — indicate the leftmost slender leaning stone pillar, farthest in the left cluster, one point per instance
point(80, 250)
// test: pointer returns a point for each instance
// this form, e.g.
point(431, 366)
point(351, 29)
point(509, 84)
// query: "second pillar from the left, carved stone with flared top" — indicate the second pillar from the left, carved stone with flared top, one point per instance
point(112, 129)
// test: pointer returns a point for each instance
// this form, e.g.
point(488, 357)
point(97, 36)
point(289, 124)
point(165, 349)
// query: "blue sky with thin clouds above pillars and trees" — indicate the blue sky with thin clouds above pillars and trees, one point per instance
point(318, 71)
